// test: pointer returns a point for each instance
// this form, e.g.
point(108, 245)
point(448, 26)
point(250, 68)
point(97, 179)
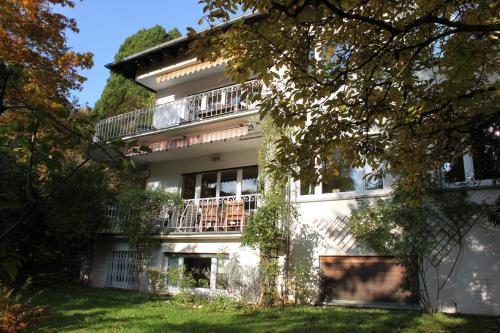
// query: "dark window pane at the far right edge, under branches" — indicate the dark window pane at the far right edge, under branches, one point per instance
point(485, 155)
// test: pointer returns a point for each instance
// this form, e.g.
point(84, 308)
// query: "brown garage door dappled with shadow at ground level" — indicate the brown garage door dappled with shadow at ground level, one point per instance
point(365, 278)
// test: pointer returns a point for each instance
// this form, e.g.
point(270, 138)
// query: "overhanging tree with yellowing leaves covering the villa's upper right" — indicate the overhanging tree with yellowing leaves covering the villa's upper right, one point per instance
point(410, 84)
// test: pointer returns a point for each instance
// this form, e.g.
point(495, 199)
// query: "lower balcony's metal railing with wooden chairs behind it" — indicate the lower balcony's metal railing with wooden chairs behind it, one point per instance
point(224, 214)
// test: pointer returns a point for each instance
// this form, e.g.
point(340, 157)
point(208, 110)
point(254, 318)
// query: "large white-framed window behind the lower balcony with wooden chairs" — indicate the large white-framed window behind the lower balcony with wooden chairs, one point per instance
point(223, 183)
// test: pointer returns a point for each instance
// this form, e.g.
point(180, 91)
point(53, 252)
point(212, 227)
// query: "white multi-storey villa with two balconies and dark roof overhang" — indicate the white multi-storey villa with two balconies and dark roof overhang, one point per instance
point(204, 139)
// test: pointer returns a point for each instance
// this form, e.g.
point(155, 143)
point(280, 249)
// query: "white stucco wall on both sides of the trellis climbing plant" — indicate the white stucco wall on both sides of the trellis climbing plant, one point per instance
point(474, 286)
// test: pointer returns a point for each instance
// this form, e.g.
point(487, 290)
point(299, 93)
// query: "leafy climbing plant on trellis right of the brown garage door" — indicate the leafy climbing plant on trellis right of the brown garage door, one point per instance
point(421, 237)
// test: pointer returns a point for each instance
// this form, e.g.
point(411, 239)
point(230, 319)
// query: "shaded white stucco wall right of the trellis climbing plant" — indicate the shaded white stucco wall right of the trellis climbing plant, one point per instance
point(474, 285)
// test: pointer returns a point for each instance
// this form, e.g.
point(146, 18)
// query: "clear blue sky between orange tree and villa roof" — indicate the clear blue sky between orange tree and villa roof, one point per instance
point(104, 25)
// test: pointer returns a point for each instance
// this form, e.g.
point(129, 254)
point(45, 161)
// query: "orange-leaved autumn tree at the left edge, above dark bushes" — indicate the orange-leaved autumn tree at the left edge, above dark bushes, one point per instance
point(38, 71)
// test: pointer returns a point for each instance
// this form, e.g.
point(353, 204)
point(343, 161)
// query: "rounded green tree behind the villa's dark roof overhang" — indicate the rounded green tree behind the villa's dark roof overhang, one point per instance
point(121, 95)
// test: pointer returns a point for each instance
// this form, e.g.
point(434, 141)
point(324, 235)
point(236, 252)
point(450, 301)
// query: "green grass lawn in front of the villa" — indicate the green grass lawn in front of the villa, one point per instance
point(71, 308)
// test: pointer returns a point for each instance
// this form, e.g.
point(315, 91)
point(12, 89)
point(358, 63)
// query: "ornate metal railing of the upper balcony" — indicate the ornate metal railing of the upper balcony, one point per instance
point(193, 108)
